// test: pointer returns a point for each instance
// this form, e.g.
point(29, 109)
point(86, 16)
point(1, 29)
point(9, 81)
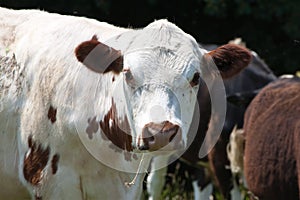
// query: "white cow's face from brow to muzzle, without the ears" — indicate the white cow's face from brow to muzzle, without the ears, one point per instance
point(162, 87)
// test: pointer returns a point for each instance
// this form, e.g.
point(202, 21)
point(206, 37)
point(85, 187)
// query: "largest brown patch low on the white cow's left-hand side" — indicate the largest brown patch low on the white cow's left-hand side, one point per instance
point(35, 162)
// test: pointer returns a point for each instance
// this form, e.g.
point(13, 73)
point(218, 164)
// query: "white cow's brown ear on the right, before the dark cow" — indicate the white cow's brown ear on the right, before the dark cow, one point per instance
point(230, 59)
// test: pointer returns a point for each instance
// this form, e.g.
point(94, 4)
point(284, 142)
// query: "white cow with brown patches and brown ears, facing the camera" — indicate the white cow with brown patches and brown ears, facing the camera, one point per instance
point(85, 104)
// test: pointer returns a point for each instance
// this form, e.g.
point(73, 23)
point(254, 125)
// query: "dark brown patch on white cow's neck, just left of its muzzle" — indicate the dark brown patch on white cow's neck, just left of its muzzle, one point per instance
point(116, 130)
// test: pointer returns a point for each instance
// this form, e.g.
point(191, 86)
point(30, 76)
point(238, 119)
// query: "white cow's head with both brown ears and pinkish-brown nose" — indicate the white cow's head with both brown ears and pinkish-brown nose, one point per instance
point(157, 77)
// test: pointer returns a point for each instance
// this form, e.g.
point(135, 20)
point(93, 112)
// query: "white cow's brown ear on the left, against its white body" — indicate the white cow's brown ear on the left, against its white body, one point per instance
point(99, 57)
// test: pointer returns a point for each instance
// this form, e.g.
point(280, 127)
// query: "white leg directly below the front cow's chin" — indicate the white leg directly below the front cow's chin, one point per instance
point(156, 178)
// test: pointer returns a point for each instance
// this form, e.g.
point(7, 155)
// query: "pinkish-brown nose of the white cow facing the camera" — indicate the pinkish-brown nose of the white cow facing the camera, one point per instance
point(157, 135)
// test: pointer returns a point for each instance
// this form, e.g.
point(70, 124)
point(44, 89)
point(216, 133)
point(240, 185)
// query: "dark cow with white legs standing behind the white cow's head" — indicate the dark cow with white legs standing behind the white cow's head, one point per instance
point(245, 84)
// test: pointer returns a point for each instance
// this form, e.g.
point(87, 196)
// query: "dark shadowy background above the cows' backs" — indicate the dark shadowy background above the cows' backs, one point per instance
point(271, 28)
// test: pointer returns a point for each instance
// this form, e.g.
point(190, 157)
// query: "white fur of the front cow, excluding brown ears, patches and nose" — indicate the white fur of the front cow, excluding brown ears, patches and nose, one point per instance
point(43, 45)
